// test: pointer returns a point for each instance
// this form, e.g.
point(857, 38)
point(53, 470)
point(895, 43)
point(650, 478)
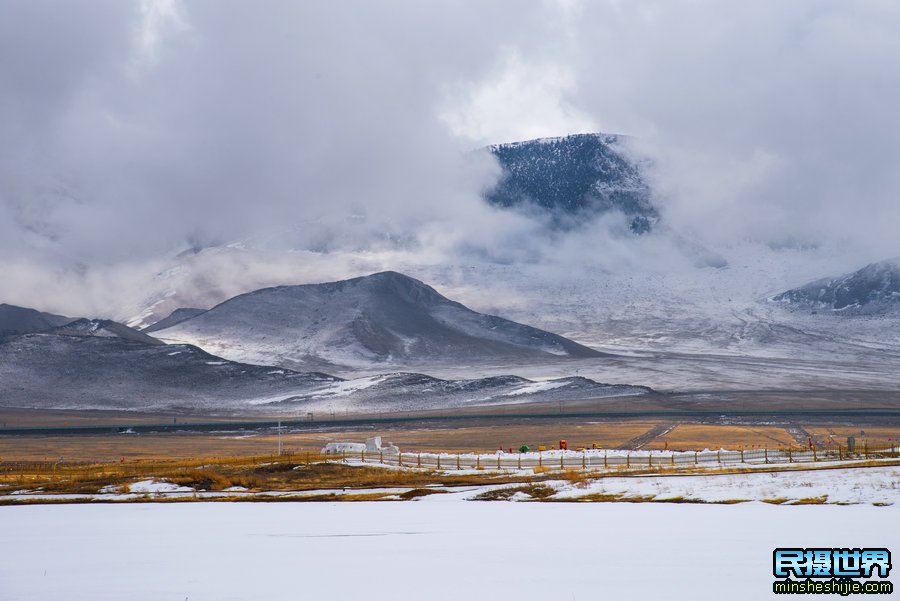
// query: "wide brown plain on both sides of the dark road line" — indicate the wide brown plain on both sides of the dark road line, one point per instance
point(652, 421)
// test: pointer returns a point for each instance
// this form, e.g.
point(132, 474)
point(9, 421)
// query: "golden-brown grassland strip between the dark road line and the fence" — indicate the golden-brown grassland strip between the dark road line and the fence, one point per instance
point(609, 434)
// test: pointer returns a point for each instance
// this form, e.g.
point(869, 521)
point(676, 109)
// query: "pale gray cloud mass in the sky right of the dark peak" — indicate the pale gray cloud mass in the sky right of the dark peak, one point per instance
point(775, 121)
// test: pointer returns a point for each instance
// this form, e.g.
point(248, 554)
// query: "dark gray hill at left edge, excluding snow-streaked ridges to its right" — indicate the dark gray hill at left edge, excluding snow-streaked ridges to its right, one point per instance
point(109, 372)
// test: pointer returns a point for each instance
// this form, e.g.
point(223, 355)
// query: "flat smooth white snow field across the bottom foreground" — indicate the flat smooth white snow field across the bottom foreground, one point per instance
point(435, 548)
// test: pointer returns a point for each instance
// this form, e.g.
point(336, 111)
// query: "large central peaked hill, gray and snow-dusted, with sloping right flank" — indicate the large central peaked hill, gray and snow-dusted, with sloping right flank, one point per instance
point(382, 319)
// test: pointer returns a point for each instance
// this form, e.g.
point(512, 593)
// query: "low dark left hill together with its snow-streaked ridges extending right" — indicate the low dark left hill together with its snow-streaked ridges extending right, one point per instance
point(45, 371)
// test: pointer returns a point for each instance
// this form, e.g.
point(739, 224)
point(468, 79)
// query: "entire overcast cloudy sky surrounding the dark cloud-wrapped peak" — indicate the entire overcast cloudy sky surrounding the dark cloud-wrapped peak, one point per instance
point(132, 130)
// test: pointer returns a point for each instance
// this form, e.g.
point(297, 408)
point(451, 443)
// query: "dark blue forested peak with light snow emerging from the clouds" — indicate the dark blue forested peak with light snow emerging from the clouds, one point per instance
point(573, 178)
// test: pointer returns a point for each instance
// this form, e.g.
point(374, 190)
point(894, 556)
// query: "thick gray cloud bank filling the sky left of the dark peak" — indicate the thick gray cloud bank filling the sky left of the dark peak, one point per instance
point(129, 133)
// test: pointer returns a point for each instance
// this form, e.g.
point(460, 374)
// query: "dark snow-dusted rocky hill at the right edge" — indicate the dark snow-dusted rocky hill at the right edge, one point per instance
point(872, 290)
